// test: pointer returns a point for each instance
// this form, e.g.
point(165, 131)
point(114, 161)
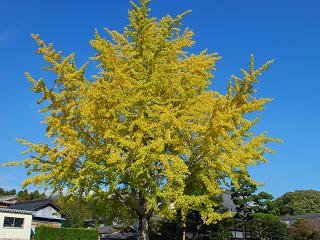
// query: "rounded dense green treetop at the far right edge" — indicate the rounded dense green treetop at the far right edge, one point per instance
point(299, 202)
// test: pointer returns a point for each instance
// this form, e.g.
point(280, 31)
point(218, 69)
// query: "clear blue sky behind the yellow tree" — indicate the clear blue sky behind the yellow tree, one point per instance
point(287, 31)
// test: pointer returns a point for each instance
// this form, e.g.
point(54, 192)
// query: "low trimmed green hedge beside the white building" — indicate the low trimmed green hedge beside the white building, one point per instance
point(48, 233)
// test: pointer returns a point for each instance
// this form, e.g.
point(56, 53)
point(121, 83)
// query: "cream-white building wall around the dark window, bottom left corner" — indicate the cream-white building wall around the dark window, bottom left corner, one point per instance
point(9, 233)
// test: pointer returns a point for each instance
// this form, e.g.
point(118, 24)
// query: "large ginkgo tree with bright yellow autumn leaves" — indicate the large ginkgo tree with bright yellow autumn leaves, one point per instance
point(146, 131)
